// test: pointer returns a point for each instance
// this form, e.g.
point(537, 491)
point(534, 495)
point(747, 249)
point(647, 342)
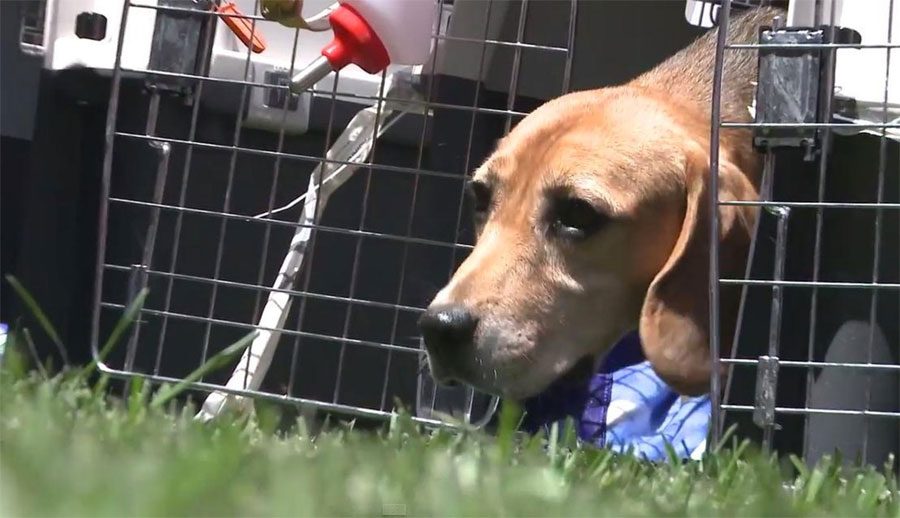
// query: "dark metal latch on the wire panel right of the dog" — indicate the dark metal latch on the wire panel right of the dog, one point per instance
point(795, 85)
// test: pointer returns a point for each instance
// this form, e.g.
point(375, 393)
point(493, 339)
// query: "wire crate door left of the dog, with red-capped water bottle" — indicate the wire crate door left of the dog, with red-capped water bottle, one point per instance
point(211, 160)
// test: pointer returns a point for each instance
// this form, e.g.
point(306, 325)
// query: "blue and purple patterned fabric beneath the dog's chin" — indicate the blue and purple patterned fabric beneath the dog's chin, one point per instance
point(656, 415)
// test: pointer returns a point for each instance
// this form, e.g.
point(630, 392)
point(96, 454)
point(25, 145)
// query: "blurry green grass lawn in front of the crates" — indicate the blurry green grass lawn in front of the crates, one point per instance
point(69, 448)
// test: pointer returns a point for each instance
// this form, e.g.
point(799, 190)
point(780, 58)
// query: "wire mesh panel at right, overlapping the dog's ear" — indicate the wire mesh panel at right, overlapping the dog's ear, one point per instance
point(815, 362)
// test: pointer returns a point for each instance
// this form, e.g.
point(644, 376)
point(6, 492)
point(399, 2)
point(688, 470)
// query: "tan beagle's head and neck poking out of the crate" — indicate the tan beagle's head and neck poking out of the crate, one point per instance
point(592, 220)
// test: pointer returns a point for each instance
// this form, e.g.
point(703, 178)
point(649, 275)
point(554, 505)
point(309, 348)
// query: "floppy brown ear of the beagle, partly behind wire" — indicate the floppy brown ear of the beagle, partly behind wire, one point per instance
point(674, 323)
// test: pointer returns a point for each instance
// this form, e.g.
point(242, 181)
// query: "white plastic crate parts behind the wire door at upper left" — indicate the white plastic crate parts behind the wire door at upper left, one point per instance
point(63, 49)
